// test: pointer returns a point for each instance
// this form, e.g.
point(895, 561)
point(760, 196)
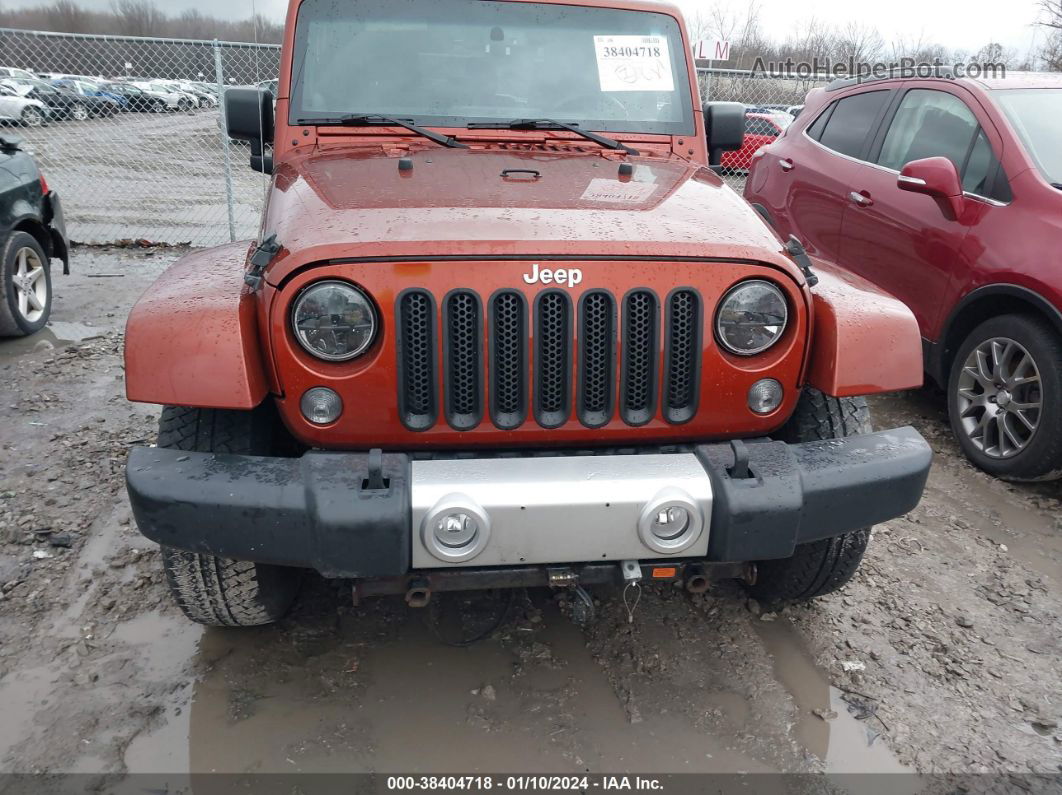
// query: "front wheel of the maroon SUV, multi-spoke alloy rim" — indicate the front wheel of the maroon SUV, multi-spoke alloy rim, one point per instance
point(979, 384)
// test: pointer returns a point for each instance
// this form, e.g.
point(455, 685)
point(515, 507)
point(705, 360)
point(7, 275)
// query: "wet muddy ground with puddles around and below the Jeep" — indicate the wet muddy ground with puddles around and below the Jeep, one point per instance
point(943, 656)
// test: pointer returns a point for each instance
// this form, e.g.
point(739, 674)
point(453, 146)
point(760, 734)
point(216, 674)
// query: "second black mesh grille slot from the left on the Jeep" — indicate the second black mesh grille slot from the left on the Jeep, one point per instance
point(464, 343)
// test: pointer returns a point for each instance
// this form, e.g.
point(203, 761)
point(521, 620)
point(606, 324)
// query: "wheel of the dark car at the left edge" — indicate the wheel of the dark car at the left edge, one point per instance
point(23, 260)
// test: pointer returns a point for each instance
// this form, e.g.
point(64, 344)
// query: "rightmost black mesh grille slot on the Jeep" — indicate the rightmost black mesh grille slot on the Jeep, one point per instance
point(683, 356)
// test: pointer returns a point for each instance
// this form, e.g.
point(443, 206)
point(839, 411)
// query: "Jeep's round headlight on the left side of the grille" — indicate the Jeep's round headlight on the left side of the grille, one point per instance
point(334, 321)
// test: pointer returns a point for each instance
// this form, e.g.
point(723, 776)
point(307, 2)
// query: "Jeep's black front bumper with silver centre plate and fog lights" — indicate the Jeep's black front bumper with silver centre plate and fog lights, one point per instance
point(352, 515)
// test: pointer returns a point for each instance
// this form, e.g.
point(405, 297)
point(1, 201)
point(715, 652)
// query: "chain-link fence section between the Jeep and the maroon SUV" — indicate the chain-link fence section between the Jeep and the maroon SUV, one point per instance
point(772, 105)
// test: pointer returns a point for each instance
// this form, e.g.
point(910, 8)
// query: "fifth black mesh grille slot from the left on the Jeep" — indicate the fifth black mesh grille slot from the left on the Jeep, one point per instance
point(597, 358)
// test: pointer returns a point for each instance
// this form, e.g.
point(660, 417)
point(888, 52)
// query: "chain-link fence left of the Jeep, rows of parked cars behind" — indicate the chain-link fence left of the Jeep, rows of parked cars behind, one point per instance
point(129, 132)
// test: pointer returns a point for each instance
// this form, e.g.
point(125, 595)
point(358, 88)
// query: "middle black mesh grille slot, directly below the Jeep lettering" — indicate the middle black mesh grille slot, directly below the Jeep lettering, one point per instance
point(553, 359)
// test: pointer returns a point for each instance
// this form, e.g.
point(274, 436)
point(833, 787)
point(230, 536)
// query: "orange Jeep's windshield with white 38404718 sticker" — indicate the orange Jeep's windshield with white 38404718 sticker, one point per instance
point(451, 63)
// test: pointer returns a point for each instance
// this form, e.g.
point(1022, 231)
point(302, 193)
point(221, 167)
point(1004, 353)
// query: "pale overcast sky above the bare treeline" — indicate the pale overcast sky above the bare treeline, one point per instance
point(967, 26)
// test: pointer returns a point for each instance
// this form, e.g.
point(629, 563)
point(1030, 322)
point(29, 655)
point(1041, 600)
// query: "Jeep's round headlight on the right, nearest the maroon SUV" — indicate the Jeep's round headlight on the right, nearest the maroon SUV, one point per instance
point(751, 318)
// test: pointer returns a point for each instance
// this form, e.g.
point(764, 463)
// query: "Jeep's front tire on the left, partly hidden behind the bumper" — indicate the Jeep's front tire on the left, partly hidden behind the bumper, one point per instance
point(213, 591)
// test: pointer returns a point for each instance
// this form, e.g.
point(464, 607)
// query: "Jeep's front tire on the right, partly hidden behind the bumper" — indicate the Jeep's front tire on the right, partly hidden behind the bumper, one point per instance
point(820, 567)
